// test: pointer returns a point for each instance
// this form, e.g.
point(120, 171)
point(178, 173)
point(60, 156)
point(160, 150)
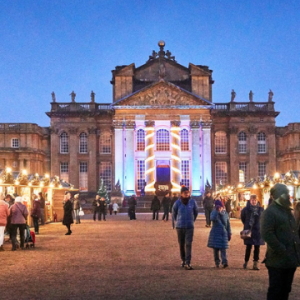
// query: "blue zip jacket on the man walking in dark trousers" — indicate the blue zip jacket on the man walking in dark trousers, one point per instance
point(184, 215)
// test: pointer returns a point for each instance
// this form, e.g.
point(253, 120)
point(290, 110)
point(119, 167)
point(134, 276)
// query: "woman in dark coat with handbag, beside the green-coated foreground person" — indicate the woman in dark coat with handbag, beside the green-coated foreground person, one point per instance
point(250, 216)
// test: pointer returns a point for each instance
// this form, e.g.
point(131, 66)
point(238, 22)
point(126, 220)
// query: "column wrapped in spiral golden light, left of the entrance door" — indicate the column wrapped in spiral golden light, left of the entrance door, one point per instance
point(149, 161)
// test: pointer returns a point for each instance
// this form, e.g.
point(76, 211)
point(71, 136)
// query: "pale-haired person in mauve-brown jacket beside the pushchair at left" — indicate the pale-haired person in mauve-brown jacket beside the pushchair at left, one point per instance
point(19, 214)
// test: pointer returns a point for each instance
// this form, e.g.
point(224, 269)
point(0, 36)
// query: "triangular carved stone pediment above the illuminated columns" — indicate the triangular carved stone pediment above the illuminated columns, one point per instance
point(162, 94)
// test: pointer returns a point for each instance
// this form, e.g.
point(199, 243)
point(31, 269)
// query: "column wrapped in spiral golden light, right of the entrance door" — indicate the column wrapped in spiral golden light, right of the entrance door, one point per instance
point(176, 161)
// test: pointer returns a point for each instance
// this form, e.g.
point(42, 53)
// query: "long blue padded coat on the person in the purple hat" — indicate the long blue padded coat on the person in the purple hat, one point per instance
point(220, 231)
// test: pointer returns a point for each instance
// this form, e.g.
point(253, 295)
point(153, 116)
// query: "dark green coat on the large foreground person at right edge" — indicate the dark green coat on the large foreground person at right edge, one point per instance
point(279, 231)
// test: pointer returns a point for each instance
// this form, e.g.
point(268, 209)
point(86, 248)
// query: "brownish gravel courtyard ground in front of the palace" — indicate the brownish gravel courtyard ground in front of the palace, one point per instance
point(122, 259)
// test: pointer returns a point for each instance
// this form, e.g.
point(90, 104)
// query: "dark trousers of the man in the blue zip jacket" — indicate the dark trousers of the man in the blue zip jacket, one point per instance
point(185, 239)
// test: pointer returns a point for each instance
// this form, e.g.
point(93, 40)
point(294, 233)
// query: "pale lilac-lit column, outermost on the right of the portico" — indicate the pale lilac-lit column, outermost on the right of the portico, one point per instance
point(206, 133)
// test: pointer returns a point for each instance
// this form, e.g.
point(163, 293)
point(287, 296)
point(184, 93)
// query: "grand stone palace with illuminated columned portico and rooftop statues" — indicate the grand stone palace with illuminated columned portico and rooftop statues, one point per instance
point(161, 130)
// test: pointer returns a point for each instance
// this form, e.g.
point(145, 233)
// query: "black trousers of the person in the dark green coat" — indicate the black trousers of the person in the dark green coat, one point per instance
point(280, 283)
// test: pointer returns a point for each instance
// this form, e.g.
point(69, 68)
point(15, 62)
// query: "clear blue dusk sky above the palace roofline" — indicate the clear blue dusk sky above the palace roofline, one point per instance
point(62, 46)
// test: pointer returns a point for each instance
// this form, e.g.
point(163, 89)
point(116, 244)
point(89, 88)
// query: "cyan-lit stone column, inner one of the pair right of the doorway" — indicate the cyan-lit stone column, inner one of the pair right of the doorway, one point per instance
point(196, 167)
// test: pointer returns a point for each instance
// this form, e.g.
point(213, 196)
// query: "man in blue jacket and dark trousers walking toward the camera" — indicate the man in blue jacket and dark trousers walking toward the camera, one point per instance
point(184, 215)
